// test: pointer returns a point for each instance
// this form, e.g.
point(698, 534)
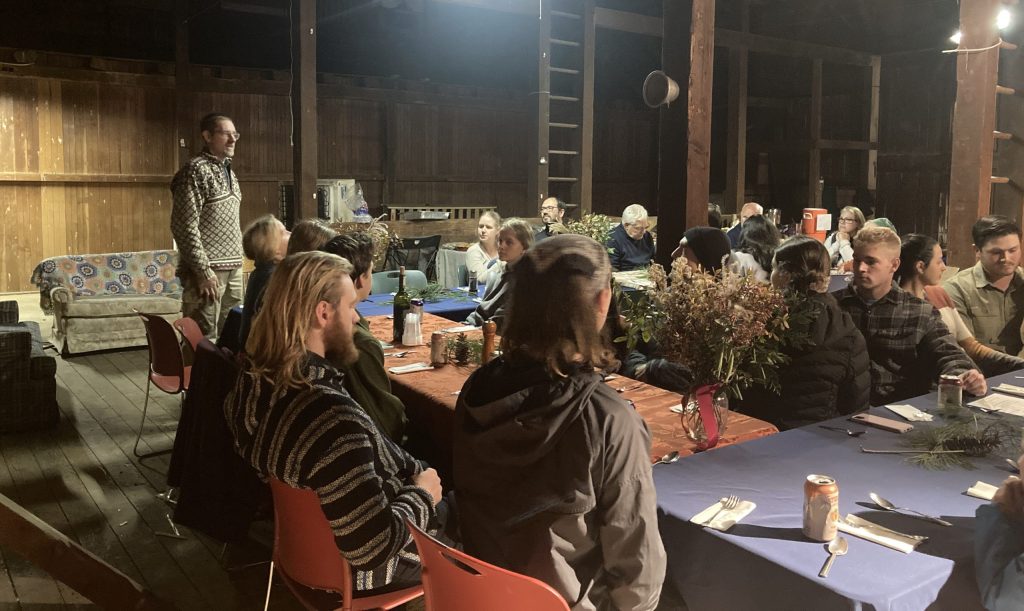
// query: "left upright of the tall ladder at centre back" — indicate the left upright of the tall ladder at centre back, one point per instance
point(538, 164)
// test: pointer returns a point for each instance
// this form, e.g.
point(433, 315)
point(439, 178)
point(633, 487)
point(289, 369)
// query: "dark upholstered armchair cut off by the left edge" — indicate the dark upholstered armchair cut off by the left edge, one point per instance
point(28, 376)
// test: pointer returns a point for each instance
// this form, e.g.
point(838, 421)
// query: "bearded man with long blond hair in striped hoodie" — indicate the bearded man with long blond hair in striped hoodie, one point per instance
point(292, 420)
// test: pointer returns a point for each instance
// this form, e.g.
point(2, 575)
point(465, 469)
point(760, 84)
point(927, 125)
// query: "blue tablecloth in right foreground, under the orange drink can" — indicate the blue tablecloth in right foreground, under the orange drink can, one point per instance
point(766, 563)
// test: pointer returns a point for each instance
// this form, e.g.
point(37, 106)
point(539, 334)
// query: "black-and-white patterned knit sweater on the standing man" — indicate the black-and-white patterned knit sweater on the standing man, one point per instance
point(205, 217)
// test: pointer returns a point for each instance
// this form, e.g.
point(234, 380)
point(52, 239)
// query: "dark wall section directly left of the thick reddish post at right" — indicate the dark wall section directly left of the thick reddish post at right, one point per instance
point(916, 119)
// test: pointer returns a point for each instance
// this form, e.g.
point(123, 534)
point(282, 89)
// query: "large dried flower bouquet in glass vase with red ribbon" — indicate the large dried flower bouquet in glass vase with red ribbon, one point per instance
point(729, 330)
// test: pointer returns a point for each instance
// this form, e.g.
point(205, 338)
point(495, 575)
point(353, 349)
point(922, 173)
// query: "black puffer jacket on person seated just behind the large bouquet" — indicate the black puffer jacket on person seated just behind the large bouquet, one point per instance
point(826, 379)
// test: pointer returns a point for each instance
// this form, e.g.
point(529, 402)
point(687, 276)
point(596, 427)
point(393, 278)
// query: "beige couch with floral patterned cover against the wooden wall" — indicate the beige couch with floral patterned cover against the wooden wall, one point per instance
point(94, 298)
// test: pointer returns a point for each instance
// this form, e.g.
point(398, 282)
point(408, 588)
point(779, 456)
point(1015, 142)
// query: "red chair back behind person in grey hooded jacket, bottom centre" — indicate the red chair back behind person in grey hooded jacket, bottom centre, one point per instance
point(454, 581)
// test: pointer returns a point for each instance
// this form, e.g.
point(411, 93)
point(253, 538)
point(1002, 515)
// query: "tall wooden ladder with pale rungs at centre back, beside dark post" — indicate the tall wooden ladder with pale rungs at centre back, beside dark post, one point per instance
point(562, 158)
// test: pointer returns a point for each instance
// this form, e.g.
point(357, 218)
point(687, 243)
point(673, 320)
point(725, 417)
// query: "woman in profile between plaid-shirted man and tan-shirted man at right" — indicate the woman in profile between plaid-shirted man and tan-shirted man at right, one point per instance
point(920, 274)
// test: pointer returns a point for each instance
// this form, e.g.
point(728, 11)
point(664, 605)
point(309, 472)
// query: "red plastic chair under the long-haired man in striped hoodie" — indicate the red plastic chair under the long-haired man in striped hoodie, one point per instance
point(307, 556)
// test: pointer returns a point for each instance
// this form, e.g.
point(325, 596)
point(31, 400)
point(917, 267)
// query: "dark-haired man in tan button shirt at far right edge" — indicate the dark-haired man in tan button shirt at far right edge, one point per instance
point(990, 296)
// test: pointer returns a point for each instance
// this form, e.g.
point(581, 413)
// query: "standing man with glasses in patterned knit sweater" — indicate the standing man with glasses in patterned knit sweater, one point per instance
point(207, 229)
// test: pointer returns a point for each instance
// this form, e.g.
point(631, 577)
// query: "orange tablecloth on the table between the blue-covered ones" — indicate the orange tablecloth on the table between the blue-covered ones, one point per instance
point(431, 398)
